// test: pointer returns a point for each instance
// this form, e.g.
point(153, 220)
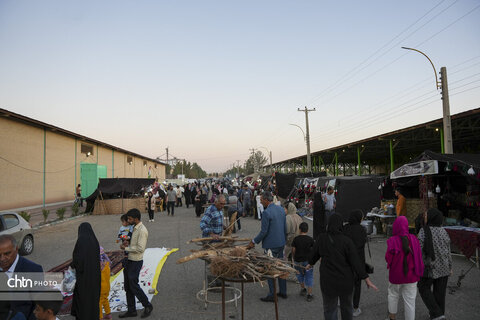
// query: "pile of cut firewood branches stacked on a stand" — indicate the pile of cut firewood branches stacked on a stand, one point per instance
point(237, 262)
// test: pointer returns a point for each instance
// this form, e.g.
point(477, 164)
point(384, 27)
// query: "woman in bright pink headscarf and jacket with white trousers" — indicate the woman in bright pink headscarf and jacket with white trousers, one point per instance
point(405, 265)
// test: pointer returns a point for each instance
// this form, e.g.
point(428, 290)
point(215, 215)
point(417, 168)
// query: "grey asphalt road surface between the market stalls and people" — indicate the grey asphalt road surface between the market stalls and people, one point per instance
point(179, 284)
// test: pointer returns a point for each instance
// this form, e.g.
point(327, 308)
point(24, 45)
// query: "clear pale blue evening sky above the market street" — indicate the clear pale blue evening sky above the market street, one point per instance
point(212, 80)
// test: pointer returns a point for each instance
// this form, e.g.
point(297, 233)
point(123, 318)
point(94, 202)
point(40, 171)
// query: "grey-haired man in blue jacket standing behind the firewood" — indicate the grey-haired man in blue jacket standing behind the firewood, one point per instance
point(273, 238)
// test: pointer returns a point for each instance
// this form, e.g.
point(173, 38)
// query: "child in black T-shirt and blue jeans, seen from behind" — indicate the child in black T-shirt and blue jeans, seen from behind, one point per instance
point(301, 249)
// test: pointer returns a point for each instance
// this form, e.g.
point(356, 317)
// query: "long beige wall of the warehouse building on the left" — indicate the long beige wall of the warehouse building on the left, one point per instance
point(22, 151)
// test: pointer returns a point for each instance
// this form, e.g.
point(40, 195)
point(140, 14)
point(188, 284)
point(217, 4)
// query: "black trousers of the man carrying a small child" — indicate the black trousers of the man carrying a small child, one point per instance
point(132, 288)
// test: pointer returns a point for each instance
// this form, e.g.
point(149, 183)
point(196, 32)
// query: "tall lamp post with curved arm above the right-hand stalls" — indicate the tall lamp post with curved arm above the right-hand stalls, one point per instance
point(443, 85)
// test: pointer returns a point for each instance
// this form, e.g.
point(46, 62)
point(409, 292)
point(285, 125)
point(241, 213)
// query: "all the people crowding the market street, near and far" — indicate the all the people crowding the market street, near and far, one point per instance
point(415, 262)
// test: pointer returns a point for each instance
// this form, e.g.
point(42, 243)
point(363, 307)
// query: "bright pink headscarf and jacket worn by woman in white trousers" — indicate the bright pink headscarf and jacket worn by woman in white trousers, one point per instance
point(395, 255)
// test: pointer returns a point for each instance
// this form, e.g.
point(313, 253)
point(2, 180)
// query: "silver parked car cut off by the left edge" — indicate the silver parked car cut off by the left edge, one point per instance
point(13, 224)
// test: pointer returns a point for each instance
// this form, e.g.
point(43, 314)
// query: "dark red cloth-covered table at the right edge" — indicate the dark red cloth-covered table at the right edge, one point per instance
point(467, 240)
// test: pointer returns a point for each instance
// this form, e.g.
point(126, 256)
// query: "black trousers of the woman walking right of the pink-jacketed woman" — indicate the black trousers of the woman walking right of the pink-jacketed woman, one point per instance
point(434, 300)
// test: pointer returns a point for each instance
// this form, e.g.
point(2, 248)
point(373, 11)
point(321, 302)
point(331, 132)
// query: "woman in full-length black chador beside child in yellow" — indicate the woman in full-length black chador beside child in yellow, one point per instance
point(86, 262)
